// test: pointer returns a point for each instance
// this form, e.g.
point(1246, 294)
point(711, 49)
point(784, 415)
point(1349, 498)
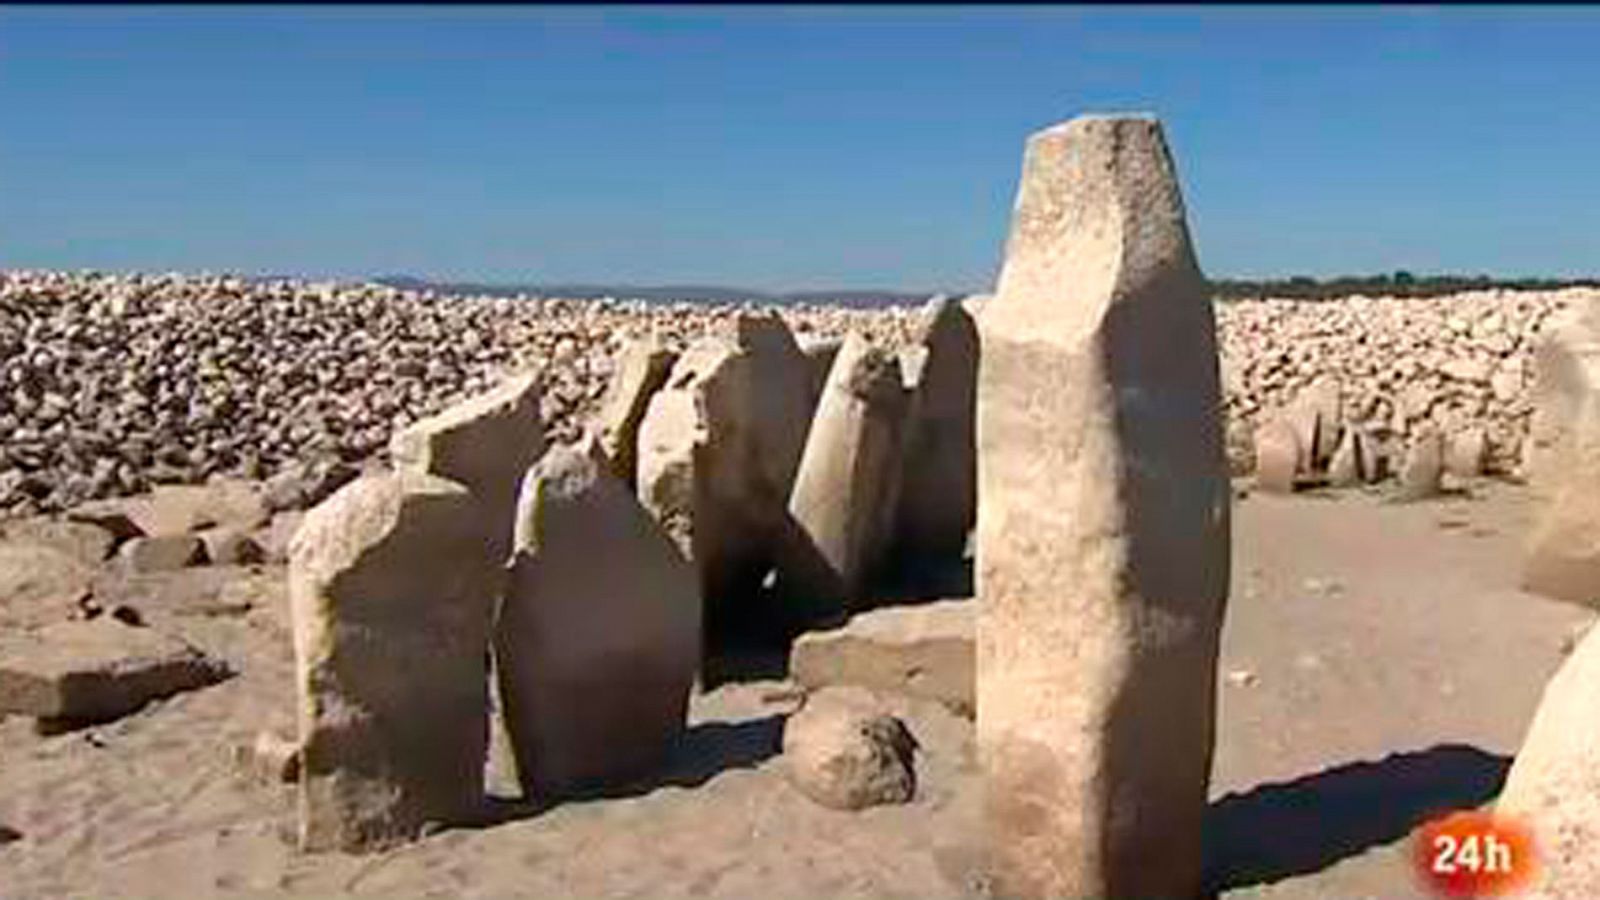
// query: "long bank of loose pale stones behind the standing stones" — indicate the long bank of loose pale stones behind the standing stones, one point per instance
point(114, 384)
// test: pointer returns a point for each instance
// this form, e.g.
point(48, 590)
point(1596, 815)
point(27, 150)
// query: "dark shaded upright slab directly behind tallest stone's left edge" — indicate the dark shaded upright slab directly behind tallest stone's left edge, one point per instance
point(938, 496)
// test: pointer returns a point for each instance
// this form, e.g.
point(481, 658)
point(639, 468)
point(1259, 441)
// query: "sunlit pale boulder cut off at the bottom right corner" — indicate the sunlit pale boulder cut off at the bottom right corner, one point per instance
point(1554, 785)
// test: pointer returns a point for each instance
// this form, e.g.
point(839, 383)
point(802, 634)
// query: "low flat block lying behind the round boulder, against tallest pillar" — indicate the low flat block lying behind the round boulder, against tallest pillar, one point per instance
point(921, 651)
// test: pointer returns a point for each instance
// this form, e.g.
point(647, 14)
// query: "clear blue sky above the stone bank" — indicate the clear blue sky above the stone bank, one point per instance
point(782, 148)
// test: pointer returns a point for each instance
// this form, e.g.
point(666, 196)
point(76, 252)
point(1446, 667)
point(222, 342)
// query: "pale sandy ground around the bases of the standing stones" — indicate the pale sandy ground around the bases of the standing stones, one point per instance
point(1378, 665)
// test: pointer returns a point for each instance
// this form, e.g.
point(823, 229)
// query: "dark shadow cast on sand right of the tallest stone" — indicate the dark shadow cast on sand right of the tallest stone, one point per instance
point(1282, 830)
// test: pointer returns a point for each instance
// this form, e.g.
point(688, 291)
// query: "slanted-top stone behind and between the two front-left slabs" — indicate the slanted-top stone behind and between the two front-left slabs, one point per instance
point(486, 443)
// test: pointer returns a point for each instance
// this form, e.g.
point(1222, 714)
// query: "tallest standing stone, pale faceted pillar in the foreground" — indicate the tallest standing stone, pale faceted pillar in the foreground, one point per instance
point(1103, 534)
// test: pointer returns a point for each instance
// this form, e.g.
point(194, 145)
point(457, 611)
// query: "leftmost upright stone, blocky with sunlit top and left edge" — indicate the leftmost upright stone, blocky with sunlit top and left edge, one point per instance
point(391, 589)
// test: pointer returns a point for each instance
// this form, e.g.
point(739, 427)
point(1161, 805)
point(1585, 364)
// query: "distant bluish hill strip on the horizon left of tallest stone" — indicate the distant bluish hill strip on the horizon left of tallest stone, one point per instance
point(671, 294)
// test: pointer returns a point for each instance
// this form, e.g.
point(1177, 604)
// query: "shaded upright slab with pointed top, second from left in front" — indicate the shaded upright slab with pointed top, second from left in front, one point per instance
point(596, 654)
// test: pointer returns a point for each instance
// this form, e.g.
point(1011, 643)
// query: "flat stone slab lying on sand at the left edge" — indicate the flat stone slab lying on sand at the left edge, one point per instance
point(95, 672)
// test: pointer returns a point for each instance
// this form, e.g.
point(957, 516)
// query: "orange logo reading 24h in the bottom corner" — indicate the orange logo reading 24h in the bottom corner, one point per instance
point(1474, 854)
